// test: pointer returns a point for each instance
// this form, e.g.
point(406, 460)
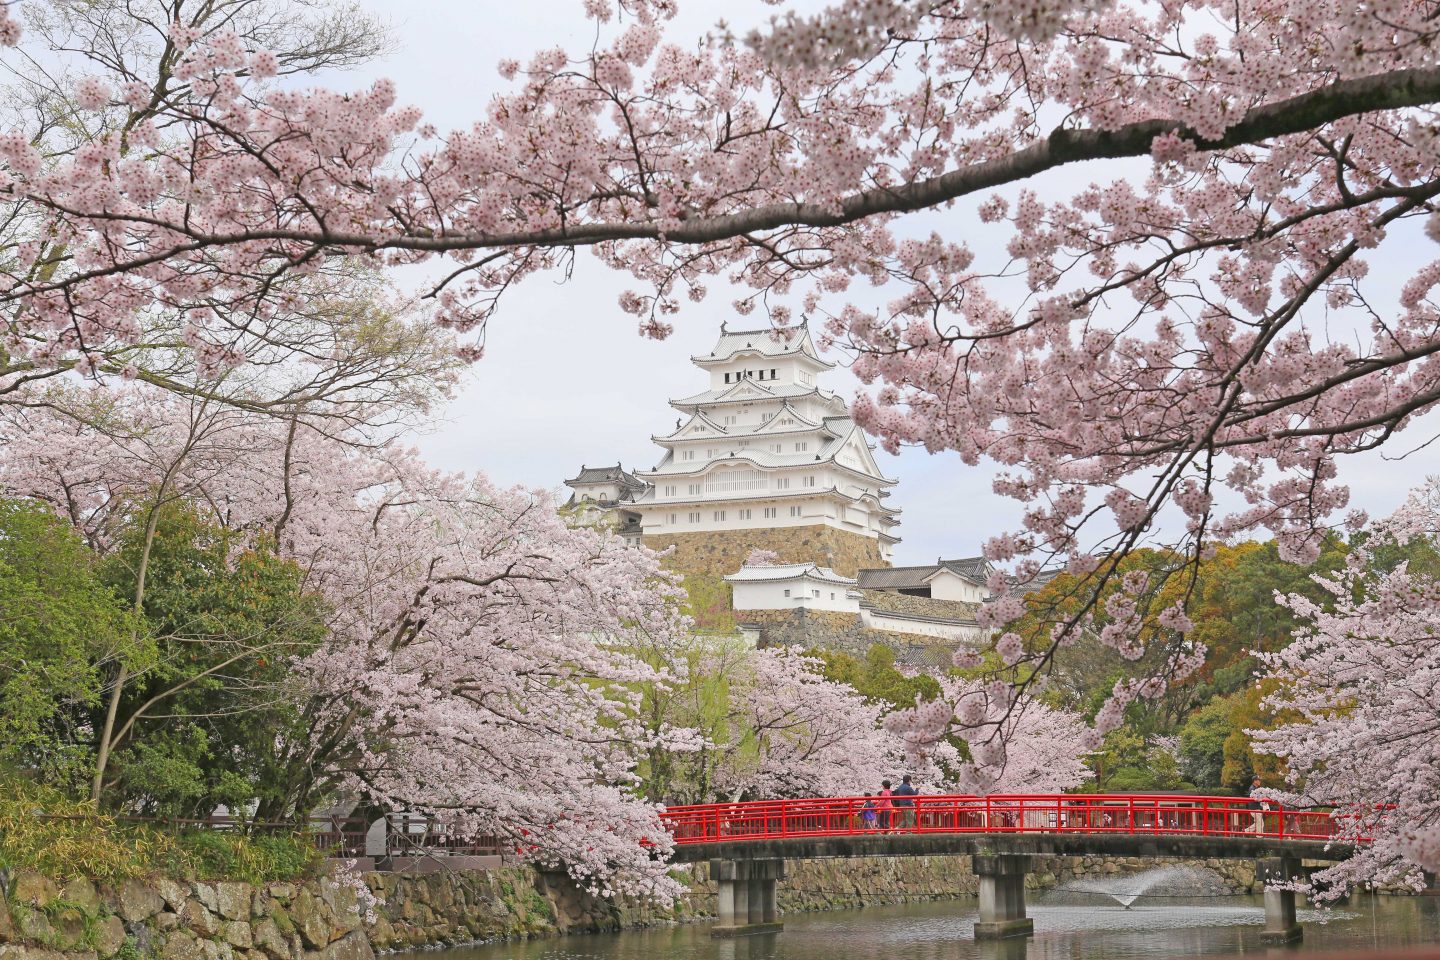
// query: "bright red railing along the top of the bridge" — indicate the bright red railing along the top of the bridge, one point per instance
point(1167, 815)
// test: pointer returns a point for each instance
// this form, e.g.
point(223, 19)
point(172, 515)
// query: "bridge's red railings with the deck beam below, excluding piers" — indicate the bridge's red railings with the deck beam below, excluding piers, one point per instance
point(1046, 825)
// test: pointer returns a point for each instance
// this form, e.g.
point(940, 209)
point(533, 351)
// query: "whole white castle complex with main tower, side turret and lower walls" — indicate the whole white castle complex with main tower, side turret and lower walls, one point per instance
point(768, 458)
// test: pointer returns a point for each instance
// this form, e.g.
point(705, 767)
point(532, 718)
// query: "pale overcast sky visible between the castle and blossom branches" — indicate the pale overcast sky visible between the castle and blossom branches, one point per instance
point(567, 381)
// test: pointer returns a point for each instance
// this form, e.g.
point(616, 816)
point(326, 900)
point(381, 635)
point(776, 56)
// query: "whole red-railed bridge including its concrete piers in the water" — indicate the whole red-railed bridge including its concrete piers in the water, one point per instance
point(750, 843)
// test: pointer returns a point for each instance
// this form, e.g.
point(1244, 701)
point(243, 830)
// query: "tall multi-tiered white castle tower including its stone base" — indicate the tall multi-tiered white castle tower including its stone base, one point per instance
point(767, 458)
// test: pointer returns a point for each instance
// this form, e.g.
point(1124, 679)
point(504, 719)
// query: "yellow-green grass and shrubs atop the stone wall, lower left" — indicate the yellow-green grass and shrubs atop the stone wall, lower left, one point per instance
point(47, 833)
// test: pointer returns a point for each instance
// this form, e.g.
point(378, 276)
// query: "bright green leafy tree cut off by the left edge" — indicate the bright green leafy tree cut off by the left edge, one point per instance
point(58, 624)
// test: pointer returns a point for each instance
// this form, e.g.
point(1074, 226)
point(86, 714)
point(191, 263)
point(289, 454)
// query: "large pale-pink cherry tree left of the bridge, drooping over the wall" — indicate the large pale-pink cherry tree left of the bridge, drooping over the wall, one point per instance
point(474, 666)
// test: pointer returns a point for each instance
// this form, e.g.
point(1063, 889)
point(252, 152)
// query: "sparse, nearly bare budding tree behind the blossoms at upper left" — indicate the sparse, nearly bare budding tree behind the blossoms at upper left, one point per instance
point(342, 340)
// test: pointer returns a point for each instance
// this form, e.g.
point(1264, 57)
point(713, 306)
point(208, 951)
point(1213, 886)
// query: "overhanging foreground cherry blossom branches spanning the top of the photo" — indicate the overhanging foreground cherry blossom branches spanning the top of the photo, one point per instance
point(1140, 343)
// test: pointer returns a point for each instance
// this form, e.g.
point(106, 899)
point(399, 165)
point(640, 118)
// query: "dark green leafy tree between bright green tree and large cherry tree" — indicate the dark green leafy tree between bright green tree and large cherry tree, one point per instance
point(207, 723)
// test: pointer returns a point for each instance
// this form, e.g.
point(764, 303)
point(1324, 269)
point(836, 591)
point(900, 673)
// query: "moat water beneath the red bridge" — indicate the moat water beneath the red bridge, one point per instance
point(1066, 929)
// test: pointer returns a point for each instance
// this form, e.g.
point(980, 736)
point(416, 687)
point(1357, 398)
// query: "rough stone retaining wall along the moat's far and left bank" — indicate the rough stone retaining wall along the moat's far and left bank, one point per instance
point(354, 916)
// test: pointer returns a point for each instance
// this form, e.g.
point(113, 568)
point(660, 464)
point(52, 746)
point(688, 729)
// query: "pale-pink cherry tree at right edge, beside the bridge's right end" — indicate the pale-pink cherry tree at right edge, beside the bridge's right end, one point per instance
point(1359, 692)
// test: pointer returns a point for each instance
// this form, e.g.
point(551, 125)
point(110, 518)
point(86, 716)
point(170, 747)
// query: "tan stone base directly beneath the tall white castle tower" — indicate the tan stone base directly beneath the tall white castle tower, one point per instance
point(722, 552)
